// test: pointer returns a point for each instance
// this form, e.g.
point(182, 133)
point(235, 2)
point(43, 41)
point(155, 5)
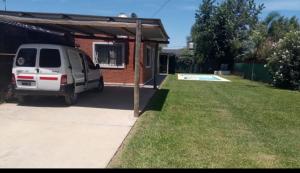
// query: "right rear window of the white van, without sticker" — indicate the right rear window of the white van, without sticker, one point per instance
point(50, 58)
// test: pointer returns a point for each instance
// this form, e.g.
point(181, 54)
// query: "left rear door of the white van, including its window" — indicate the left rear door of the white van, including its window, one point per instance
point(25, 69)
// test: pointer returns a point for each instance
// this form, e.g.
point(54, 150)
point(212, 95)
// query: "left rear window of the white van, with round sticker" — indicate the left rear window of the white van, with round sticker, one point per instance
point(26, 58)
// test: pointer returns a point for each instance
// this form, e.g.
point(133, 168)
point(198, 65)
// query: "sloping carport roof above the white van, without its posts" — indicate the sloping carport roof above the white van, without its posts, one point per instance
point(87, 25)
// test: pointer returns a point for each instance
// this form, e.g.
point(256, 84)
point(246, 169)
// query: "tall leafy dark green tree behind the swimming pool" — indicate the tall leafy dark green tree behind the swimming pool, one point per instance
point(221, 30)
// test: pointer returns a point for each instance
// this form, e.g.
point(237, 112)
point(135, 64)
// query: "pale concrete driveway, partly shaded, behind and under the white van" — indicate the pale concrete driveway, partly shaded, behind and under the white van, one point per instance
point(46, 134)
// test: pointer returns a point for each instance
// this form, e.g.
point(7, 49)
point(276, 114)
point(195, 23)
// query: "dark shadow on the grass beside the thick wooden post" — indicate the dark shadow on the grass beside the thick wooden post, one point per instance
point(157, 102)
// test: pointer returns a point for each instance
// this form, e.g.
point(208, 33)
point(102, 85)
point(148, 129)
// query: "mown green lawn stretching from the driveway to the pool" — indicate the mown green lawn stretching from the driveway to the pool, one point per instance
point(215, 125)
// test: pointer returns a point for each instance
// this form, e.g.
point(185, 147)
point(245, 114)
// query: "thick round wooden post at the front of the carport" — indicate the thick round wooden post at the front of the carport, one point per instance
point(137, 68)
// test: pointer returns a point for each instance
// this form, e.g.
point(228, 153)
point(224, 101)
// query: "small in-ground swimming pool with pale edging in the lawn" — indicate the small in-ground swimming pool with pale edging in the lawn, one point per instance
point(202, 77)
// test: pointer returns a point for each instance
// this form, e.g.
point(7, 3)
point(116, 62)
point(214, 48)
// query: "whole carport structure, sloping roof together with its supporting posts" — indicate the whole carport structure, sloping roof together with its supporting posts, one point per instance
point(84, 26)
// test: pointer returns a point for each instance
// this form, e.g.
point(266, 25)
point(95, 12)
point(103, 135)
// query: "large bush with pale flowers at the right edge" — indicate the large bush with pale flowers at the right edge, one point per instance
point(284, 63)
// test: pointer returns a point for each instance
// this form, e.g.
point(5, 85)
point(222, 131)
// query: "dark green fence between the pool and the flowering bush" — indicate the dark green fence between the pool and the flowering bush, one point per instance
point(254, 71)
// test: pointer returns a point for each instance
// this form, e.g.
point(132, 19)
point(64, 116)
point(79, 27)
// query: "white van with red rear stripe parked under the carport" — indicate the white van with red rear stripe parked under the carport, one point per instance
point(46, 69)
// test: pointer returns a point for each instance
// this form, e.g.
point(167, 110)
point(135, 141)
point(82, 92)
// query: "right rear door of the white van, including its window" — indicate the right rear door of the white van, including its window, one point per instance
point(49, 69)
